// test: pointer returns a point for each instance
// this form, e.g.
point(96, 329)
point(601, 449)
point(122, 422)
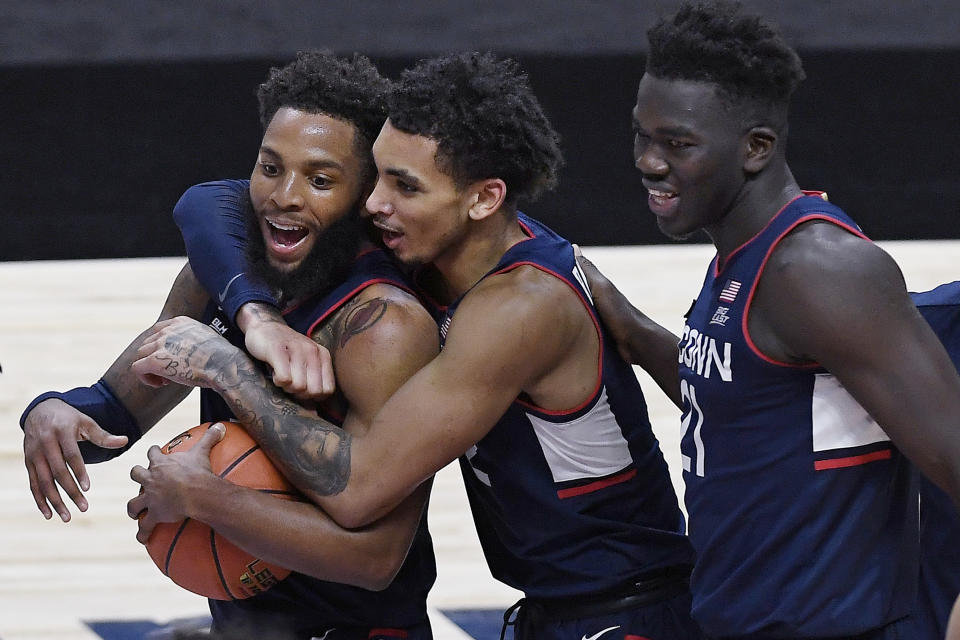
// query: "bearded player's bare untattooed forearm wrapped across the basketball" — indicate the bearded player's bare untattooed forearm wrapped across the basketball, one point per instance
point(300, 536)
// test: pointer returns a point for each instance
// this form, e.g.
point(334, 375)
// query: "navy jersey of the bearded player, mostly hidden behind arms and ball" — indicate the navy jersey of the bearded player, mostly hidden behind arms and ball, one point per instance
point(310, 606)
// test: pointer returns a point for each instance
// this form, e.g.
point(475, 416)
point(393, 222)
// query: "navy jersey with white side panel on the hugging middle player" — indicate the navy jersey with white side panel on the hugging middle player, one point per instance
point(580, 501)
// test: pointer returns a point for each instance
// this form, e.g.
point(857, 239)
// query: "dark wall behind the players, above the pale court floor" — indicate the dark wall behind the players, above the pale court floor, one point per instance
point(111, 109)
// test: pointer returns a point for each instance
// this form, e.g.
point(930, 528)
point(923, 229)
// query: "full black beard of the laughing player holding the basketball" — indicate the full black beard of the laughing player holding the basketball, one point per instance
point(324, 267)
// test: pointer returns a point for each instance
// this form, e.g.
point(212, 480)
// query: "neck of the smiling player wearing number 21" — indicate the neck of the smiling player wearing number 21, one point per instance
point(757, 203)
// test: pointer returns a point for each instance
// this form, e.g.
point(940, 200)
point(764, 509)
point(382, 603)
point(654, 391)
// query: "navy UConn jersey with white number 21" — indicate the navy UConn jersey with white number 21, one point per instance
point(802, 513)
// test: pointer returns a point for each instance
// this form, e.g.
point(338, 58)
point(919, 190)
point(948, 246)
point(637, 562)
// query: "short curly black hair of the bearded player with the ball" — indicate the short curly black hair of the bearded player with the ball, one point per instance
point(349, 89)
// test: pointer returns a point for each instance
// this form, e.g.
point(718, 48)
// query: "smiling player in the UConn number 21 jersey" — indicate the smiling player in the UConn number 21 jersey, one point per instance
point(801, 359)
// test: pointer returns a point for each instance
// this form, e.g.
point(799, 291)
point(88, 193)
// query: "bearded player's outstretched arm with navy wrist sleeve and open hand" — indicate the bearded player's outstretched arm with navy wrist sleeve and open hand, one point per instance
point(63, 432)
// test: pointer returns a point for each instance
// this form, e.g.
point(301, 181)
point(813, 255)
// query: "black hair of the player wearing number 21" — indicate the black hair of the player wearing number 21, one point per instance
point(743, 55)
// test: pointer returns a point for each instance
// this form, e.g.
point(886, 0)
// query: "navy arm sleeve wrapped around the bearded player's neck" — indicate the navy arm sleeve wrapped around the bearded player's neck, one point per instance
point(211, 220)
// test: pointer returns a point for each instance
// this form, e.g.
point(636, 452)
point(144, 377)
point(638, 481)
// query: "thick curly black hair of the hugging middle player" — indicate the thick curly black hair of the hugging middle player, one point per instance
point(485, 120)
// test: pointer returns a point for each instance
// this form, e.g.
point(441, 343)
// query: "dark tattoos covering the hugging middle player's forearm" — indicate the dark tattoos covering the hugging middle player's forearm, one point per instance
point(313, 453)
